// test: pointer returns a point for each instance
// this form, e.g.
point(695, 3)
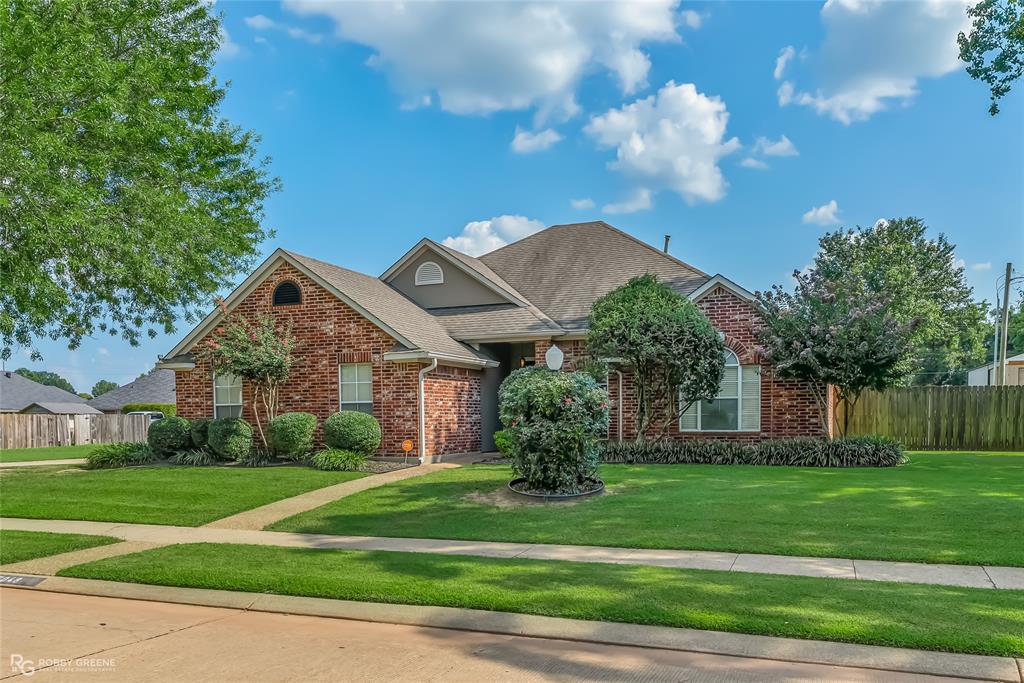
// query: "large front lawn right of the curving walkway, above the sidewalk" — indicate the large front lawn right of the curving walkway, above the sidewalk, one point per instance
point(963, 508)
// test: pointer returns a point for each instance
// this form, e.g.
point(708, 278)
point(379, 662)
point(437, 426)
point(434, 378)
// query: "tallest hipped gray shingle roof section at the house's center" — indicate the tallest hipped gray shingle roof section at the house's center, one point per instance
point(565, 269)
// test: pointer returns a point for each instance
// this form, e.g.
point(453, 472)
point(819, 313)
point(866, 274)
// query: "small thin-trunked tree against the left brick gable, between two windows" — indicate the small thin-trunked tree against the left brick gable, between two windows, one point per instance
point(259, 351)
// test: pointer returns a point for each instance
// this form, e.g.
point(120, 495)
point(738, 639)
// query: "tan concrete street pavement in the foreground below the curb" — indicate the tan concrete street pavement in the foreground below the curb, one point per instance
point(75, 637)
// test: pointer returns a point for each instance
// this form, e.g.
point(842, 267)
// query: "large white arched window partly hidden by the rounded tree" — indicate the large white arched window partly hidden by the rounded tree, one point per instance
point(738, 406)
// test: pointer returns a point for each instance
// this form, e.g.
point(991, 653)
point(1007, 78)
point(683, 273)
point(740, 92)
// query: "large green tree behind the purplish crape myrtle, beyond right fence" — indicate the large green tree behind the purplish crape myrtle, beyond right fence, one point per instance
point(919, 280)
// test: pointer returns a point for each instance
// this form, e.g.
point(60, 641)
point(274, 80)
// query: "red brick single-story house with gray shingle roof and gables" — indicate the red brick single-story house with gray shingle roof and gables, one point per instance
point(425, 347)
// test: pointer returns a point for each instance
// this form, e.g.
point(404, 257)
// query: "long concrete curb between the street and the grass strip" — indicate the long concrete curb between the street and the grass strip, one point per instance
point(657, 637)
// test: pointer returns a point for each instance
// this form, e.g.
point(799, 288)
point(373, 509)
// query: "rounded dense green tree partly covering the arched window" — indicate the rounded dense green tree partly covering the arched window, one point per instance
point(675, 355)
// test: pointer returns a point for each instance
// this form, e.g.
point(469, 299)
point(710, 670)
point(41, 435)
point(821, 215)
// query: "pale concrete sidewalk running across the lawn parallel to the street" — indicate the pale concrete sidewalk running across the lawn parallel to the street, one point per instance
point(945, 575)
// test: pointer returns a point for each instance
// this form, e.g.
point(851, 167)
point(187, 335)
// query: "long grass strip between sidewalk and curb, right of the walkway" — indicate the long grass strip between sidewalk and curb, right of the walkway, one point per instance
point(962, 620)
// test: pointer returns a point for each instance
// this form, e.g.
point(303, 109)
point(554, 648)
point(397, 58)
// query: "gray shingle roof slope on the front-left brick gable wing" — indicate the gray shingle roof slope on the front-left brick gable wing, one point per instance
point(387, 305)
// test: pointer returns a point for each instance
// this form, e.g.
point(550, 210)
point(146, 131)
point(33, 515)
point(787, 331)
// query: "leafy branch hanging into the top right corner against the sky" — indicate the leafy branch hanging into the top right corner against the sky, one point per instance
point(994, 51)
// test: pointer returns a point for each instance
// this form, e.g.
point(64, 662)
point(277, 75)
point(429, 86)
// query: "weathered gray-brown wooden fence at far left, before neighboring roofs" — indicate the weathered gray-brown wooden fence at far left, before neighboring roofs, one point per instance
point(38, 432)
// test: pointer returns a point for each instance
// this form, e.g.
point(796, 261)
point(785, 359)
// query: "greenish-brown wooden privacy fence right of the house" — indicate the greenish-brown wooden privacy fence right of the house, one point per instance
point(943, 418)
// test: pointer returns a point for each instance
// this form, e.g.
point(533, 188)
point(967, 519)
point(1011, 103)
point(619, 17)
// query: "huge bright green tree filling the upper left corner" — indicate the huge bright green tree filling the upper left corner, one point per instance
point(125, 198)
